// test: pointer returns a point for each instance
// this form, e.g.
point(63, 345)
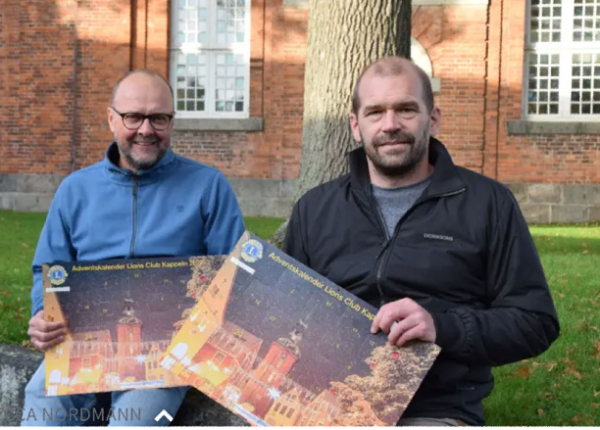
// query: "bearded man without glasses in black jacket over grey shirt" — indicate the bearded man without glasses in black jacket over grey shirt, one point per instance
point(443, 252)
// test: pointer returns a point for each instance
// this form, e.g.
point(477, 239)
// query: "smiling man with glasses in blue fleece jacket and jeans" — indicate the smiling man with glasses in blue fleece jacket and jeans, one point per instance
point(142, 200)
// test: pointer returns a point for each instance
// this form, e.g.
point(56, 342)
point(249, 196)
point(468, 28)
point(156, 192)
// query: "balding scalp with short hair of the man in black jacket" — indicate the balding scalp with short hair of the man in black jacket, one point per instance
point(394, 66)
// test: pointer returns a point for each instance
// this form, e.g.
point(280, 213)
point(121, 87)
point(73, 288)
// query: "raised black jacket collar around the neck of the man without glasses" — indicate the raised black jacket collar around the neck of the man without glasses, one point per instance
point(445, 178)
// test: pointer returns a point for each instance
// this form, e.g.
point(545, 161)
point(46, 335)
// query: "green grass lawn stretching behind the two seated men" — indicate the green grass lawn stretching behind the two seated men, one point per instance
point(561, 387)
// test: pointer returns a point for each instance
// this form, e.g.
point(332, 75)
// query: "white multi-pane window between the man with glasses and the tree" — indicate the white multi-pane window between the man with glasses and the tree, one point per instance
point(210, 58)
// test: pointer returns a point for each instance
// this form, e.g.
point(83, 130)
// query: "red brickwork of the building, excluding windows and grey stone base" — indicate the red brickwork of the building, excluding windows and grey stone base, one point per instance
point(480, 66)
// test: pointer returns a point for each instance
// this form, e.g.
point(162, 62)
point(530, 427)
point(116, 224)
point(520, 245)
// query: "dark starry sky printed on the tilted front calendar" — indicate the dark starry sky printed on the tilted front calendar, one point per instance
point(263, 305)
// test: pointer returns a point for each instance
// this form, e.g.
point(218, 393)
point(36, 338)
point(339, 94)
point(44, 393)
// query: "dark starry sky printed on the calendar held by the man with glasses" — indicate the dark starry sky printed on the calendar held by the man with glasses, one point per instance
point(96, 300)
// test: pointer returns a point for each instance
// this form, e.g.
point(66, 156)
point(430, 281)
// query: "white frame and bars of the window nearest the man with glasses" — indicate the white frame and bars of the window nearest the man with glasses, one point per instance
point(211, 47)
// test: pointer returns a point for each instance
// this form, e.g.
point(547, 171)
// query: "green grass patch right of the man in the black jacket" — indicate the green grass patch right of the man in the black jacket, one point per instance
point(561, 387)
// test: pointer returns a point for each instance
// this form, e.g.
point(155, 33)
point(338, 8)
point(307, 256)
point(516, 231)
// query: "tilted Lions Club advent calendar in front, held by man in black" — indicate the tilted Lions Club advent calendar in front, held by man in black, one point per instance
point(280, 345)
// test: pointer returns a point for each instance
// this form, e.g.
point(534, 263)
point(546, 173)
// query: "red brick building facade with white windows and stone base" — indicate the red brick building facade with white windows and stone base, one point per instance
point(60, 58)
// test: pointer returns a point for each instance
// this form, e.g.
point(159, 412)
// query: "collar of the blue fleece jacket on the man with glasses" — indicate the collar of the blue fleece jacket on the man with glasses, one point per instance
point(125, 176)
